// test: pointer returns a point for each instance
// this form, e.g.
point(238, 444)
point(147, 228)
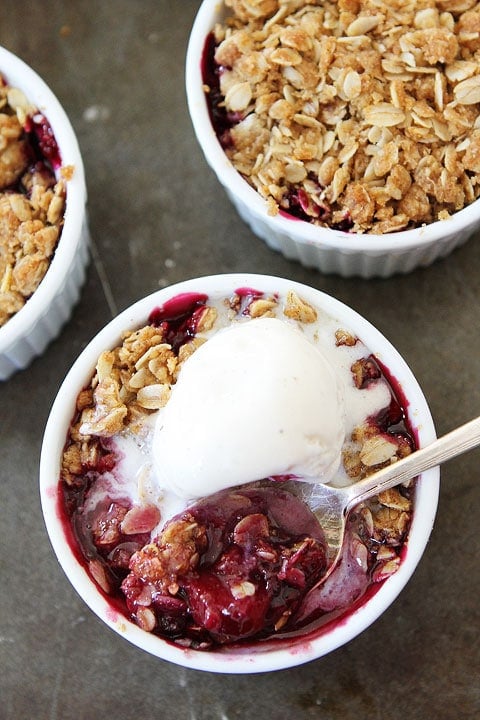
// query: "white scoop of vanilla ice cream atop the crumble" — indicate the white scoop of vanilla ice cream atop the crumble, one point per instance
point(257, 399)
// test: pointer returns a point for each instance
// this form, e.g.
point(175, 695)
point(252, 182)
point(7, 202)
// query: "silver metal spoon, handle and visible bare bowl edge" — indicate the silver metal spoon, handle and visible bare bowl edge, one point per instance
point(332, 505)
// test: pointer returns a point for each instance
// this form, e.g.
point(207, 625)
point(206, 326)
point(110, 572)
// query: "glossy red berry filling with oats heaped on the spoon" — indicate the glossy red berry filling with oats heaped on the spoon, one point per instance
point(238, 564)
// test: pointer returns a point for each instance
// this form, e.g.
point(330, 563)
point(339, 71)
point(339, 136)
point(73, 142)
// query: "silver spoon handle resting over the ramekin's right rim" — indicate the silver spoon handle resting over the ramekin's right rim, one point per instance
point(454, 443)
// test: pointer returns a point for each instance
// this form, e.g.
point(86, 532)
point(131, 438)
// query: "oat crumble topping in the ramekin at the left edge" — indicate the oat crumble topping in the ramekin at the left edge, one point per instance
point(32, 204)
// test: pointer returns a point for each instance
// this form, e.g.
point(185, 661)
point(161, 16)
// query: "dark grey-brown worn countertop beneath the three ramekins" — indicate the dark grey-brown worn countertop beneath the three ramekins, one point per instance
point(157, 216)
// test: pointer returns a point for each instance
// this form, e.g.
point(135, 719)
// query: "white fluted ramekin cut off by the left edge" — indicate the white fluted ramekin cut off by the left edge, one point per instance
point(27, 334)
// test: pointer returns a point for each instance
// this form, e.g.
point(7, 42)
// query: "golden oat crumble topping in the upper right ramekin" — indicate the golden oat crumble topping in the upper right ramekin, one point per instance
point(363, 111)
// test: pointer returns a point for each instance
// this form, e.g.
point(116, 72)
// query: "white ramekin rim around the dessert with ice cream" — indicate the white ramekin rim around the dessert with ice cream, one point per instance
point(259, 658)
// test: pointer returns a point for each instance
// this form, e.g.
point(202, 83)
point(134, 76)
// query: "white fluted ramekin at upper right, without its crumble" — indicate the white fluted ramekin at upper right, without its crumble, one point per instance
point(330, 251)
